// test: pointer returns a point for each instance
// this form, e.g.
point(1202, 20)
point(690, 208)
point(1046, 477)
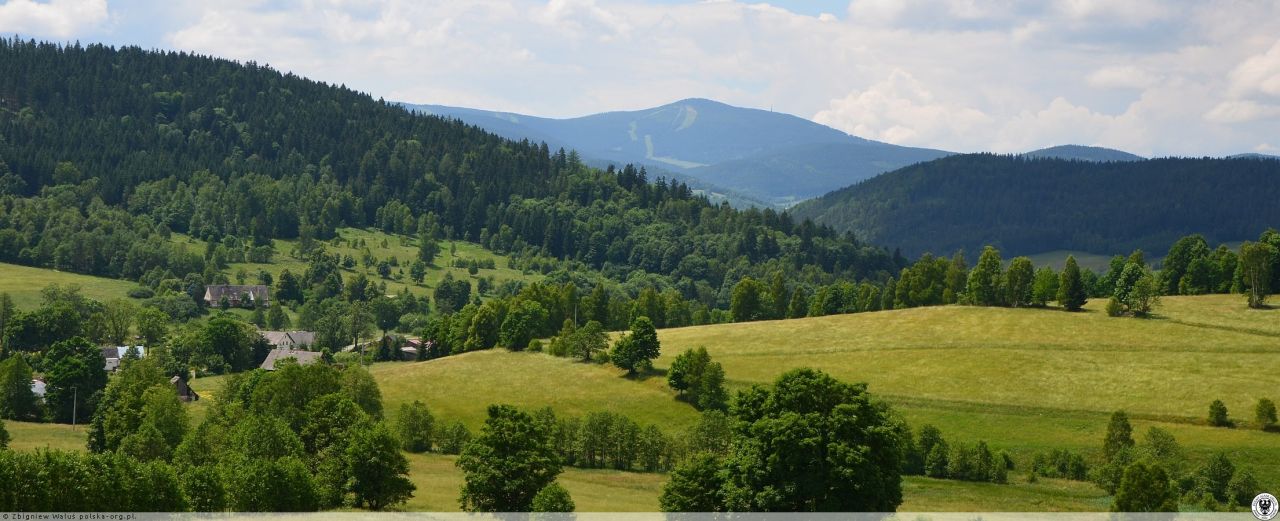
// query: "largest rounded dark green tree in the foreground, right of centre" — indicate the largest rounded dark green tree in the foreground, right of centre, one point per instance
point(813, 445)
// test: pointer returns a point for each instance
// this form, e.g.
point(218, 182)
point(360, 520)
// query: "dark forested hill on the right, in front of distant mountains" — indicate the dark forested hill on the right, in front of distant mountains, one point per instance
point(1026, 205)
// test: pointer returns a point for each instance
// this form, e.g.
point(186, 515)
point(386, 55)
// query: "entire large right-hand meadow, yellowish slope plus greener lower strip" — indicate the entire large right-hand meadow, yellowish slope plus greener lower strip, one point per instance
point(1031, 381)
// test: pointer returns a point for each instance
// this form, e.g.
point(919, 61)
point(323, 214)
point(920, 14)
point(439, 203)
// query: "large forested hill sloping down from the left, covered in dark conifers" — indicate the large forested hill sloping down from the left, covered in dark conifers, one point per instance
point(104, 152)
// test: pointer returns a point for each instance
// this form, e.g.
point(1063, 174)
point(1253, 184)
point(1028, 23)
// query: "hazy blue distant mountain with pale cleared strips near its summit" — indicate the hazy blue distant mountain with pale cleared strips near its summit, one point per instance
point(772, 157)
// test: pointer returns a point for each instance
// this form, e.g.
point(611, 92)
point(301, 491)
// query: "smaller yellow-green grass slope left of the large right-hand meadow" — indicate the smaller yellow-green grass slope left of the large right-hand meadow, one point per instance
point(463, 387)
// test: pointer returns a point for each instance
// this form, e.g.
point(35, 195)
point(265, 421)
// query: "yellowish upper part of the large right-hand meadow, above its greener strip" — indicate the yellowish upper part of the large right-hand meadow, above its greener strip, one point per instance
point(1173, 367)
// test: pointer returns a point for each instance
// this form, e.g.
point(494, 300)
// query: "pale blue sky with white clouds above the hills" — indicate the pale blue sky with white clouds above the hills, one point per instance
point(1153, 77)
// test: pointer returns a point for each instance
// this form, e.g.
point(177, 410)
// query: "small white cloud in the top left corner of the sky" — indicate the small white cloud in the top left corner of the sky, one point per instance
point(57, 19)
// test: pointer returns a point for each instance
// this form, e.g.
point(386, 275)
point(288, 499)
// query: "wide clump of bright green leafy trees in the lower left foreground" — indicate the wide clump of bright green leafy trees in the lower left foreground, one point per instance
point(300, 438)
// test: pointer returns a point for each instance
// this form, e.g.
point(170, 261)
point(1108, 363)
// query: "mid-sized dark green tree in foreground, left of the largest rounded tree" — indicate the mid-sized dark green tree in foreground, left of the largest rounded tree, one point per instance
point(509, 464)
